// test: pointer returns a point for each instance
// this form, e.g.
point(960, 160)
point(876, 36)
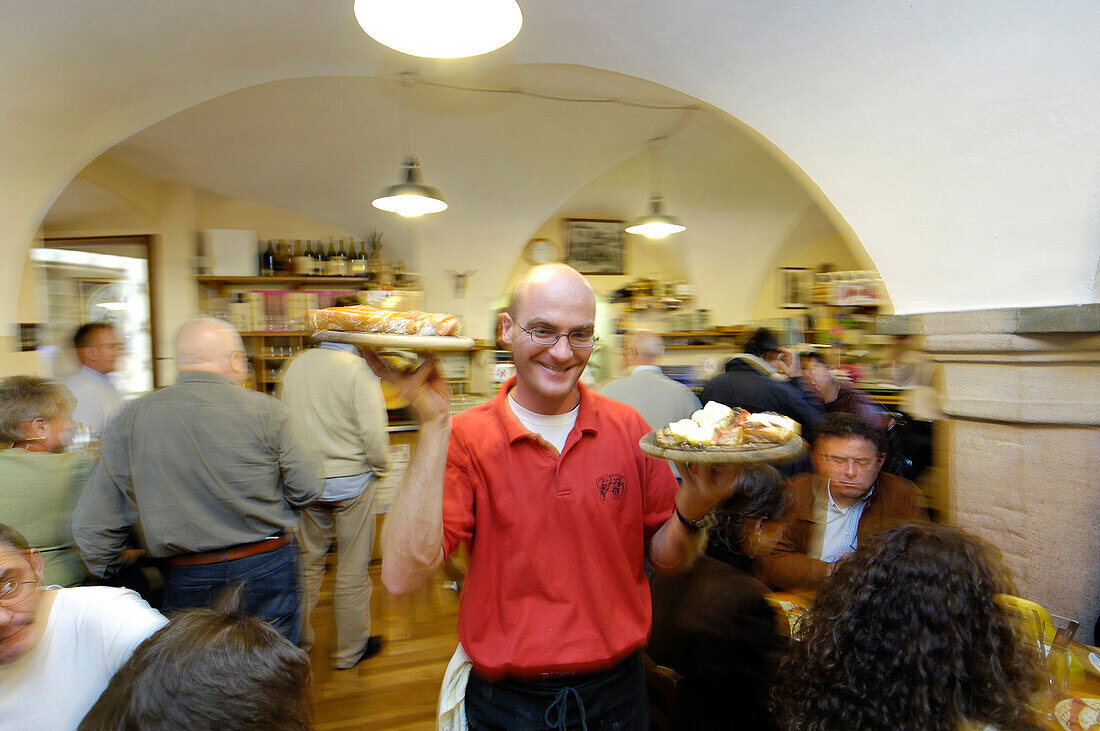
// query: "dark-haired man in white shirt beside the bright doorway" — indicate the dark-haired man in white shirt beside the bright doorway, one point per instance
point(98, 348)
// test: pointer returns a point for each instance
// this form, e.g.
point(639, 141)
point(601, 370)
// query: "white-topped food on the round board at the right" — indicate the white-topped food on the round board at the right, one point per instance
point(718, 426)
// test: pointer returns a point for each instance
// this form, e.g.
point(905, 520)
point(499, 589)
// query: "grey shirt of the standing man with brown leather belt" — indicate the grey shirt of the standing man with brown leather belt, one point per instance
point(199, 467)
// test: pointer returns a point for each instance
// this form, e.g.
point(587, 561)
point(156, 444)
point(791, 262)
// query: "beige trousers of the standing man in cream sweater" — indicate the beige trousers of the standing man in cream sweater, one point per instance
point(351, 525)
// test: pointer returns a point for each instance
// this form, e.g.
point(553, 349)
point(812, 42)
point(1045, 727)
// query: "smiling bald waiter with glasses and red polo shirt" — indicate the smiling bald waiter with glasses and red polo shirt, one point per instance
point(546, 475)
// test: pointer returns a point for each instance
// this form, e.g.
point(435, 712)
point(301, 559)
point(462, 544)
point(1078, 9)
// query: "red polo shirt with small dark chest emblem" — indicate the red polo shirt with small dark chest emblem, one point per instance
point(556, 581)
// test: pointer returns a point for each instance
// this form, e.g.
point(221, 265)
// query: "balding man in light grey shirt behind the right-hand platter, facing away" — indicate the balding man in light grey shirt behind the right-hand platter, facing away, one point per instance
point(659, 400)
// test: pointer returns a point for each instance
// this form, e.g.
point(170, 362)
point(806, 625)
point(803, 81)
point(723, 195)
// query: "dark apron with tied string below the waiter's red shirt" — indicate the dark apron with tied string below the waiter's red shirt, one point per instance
point(611, 700)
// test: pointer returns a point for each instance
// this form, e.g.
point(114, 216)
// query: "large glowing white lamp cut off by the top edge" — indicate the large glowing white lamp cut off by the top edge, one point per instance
point(441, 29)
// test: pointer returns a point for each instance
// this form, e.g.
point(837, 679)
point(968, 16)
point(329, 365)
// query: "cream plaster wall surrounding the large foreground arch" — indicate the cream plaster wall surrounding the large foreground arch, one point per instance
point(956, 140)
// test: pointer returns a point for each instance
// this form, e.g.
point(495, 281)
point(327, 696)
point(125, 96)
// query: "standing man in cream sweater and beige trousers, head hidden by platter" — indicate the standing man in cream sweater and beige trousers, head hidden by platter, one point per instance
point(338, 405)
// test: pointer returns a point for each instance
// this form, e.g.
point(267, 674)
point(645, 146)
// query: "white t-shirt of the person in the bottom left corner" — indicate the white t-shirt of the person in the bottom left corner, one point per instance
point(91, 634)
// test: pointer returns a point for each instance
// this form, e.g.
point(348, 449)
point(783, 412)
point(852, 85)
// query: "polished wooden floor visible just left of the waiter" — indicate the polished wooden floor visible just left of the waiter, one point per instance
point(398, 689)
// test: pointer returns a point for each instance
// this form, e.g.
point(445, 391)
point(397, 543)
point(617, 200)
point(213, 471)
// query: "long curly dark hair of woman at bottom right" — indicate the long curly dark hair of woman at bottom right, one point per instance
point(907, 635)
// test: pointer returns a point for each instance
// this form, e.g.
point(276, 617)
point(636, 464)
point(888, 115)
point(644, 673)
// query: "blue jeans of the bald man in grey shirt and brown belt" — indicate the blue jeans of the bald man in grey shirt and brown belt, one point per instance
point(272, 581)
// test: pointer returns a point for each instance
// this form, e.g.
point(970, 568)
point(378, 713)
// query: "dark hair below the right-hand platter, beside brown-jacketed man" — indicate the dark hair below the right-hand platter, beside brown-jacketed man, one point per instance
point(758, 493)
